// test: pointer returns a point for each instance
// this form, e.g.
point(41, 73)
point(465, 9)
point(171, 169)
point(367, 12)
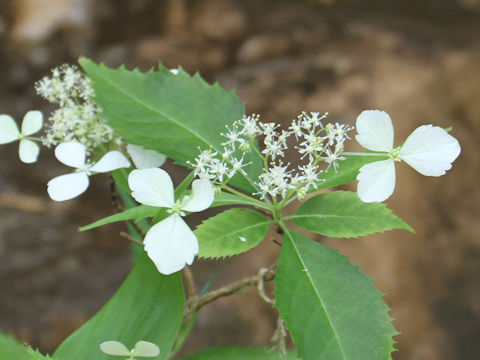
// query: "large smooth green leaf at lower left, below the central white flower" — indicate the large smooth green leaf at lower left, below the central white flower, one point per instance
point(148, 306)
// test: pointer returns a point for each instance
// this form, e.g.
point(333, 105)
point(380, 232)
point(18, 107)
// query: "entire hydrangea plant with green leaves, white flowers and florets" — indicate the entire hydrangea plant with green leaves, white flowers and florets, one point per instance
point(238, 165)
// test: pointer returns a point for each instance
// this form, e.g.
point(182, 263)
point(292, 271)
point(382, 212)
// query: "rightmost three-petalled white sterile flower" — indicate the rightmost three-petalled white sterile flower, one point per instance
point(428, 149)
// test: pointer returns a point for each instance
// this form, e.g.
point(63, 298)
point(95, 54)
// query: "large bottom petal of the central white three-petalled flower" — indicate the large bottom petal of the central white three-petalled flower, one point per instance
point(171, 244)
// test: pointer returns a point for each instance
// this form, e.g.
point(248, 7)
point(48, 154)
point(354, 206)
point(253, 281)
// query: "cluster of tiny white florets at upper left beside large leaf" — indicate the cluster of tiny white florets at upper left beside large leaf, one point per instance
point(78, 118)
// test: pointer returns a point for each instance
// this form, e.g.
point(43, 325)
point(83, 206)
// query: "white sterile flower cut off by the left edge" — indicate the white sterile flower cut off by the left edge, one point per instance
point(9, 132)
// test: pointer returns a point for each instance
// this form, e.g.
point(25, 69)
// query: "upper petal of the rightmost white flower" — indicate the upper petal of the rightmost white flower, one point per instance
point(375, 130)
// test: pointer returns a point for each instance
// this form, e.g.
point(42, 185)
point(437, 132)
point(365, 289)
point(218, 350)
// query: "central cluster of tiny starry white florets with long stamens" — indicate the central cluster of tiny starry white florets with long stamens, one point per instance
point(316, 144)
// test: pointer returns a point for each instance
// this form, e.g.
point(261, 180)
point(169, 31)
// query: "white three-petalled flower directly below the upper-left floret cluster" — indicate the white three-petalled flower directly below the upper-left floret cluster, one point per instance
point(73, 154)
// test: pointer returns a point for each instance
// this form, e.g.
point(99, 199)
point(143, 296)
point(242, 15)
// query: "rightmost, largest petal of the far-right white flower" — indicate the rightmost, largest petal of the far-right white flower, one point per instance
point(430, 150)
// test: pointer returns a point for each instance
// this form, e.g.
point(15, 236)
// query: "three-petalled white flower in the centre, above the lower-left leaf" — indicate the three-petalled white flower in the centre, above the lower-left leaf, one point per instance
point(170, 243)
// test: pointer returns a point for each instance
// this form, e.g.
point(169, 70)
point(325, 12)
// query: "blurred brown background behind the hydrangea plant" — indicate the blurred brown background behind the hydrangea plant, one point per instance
point(418, 60)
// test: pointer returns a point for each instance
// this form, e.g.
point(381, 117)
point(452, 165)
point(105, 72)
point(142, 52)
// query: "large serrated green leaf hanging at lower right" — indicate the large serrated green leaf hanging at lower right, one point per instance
point(331, 309)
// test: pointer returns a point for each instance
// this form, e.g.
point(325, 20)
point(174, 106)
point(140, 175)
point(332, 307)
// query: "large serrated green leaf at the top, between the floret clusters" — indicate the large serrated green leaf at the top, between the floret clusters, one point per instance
point(173, 114)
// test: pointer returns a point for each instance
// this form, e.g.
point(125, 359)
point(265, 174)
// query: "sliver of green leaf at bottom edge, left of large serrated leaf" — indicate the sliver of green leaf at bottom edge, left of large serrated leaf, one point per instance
point(239, 353)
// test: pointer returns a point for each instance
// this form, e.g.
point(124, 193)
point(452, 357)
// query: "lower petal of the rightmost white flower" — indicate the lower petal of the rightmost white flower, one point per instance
point(376, 181)
